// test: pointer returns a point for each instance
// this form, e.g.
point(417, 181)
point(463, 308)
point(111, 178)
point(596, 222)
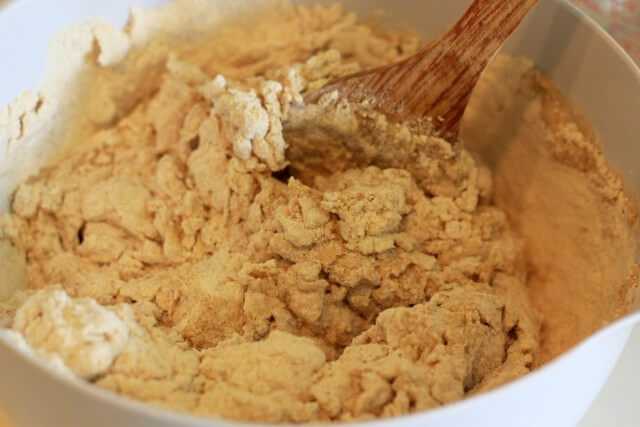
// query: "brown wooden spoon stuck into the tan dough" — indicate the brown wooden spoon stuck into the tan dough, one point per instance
point(435, 83)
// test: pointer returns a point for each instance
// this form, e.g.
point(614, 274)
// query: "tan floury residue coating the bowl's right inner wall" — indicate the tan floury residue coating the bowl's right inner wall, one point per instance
point(581, 228)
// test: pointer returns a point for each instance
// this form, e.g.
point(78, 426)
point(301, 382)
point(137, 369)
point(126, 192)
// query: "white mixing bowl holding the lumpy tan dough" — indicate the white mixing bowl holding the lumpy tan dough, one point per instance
point(581, 59)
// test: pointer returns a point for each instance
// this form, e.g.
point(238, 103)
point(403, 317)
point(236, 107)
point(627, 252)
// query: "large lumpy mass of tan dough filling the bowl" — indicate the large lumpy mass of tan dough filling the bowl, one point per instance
point(225, 250)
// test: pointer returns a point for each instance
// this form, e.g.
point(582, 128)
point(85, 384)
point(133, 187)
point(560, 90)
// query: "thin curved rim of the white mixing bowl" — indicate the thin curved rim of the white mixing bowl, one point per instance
point(113, 399)
